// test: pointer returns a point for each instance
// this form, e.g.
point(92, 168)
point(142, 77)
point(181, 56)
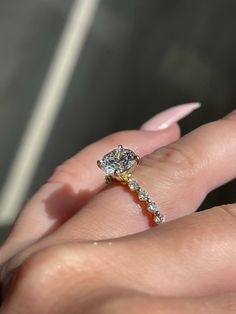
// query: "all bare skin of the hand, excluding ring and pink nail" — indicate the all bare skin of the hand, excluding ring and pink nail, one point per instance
point(79, 248)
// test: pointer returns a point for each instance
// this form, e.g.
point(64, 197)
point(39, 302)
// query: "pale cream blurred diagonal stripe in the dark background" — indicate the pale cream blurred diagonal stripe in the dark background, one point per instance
point(46, 109)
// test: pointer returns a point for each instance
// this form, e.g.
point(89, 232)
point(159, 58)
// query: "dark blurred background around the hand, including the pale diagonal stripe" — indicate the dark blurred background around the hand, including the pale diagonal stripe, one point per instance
point(73, 71)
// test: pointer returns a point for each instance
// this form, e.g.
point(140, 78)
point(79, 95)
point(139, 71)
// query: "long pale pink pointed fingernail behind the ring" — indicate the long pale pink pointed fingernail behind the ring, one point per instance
point(170, 116)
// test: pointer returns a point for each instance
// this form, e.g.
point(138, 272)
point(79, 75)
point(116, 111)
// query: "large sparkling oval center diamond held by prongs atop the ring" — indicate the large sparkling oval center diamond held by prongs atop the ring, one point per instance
point(118, 161)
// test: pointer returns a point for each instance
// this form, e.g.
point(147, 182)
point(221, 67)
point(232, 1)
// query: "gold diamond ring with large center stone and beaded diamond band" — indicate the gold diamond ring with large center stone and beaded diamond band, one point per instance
point(119, 165)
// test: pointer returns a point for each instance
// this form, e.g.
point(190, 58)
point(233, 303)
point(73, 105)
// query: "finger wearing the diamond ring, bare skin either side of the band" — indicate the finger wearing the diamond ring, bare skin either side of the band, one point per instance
point(177, 177)
